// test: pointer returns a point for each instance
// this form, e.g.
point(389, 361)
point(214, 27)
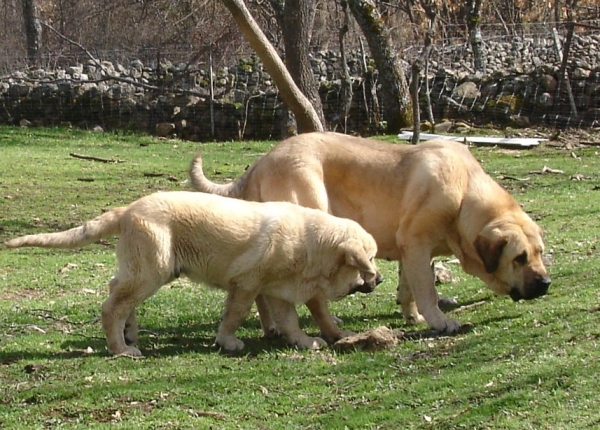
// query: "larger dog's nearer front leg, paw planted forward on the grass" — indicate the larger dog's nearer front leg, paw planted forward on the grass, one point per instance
point(421, 281)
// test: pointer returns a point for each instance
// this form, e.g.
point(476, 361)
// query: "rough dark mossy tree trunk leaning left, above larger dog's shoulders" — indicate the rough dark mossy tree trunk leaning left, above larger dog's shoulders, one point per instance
point(396, 102)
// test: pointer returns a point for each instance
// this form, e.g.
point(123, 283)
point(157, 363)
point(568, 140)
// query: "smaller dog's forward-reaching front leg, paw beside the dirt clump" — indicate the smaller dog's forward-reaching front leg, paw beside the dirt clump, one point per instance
point(285, 316)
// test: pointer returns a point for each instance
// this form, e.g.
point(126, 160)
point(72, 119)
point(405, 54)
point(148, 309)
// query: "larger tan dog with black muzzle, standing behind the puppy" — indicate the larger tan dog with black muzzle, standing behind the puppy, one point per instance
point(418, 202)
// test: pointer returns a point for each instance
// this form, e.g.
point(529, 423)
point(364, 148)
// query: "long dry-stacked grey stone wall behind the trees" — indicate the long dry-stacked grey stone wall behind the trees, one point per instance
point(520, 88)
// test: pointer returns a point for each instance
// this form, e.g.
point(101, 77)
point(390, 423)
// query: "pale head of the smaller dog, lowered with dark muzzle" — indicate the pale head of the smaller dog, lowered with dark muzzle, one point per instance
point(356, 271)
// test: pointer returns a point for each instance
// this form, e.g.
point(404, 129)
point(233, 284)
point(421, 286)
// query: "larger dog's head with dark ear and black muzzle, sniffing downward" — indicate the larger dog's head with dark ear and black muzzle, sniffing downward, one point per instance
point(511, 252)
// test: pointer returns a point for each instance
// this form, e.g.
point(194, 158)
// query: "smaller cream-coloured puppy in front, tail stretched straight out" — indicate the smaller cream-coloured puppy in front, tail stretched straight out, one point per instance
point(285, 252)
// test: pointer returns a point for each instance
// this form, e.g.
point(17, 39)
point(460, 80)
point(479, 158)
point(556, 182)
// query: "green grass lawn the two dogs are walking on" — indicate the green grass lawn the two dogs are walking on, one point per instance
point(526, 365)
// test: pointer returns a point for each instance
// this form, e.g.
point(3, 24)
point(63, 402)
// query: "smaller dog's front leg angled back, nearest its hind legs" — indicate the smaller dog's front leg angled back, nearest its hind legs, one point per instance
point(237, 308)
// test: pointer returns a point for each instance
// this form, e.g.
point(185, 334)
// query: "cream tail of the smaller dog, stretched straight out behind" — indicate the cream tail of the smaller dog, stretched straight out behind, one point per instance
point(106, 225)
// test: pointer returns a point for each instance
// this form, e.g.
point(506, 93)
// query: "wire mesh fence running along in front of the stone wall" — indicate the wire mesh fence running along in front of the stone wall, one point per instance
point(529, 79)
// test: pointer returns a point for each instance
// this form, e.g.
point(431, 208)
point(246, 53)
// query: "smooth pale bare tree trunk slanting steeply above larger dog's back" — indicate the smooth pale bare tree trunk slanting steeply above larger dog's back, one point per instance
point(306, 116)
